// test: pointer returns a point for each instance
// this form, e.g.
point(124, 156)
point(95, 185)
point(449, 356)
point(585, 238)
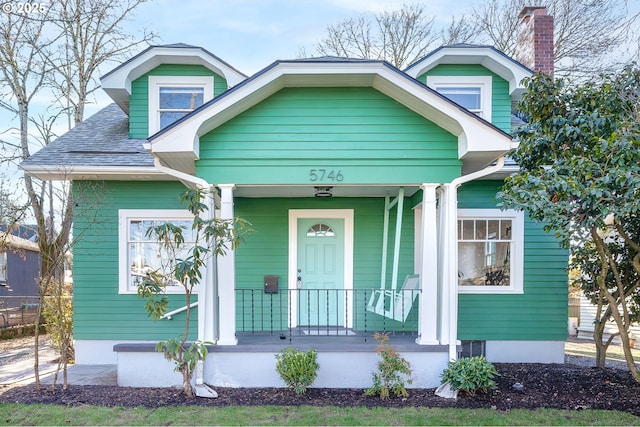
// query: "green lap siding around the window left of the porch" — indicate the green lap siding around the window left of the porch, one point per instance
point(100, 313)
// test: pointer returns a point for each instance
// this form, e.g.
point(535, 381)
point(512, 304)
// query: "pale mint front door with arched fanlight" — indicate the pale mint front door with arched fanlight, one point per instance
point(320, 272)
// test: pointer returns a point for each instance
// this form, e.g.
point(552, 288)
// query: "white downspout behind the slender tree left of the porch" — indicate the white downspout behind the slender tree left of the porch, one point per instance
point(206, 321)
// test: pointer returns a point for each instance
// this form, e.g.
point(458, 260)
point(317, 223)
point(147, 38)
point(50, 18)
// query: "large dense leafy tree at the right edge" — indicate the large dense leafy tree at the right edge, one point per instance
point(579, 160)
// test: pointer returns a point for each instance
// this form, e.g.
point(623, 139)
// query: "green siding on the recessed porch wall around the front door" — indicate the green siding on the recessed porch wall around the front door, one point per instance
point(265, 252)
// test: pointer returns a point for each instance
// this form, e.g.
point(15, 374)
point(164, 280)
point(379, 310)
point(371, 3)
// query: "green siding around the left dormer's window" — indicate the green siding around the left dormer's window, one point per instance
point(138, 102)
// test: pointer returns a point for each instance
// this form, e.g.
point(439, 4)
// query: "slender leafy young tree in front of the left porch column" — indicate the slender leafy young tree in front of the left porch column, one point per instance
point(185, 263)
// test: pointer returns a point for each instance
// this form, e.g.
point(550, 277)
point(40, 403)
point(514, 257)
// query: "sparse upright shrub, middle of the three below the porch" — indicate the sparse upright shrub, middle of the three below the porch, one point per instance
point(393, 371)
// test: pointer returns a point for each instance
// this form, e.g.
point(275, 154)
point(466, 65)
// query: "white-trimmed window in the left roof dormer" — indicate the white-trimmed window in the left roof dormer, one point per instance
point(171, 98)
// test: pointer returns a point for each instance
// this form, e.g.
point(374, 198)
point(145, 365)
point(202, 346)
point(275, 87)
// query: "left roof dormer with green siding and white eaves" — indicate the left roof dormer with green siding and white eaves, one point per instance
point(164, 83)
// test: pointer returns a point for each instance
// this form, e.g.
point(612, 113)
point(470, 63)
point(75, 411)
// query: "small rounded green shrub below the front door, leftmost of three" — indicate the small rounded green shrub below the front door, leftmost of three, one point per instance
point(297, 369)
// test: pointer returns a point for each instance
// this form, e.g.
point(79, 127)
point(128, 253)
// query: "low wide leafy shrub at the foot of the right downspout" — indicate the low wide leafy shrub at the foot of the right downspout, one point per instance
point(470, 374)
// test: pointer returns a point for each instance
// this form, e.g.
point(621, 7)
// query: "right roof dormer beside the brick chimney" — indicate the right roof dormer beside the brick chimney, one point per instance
point(480, 78)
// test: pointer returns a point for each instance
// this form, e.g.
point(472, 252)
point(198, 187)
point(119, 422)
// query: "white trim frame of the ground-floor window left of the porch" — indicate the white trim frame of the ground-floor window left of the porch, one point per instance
point(124, 217)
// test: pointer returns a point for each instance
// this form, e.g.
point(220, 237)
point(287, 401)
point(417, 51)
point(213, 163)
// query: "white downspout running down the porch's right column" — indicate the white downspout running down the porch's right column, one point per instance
point(450, 275)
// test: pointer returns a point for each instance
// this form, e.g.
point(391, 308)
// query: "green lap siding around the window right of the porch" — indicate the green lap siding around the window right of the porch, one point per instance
point(538, 314)
